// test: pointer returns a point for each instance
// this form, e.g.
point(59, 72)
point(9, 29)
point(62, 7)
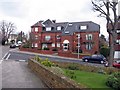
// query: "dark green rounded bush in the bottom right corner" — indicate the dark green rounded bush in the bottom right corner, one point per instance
point(114, 81)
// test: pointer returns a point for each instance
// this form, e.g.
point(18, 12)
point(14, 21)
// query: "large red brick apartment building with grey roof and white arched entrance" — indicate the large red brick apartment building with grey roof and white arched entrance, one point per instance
point(66, 37)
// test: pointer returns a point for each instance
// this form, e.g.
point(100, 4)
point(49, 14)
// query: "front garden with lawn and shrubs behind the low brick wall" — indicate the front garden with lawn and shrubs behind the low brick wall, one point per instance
point(88, 76)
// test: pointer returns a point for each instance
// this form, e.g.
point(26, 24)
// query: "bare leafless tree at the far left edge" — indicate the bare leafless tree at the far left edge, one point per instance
point(7, 28)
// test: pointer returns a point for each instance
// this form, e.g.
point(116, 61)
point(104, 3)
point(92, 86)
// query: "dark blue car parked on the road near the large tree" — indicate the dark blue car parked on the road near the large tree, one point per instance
point(95, 58)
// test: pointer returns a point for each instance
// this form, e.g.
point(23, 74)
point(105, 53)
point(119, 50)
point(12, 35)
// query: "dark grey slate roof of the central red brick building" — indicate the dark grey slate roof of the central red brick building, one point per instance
point(68, 28)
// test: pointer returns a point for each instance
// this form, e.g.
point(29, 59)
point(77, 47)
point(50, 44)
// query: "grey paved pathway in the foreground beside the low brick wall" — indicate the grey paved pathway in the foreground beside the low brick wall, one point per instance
point(16, 74)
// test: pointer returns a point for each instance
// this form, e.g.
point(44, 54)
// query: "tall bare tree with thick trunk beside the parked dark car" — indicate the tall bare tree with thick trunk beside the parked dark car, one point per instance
point(108, 10)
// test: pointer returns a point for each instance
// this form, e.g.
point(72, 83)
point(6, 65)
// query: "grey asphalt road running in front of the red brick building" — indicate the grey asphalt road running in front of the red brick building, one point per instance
point(24, 56)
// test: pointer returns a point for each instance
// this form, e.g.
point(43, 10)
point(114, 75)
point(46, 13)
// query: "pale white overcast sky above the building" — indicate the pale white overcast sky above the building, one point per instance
point(25, 13)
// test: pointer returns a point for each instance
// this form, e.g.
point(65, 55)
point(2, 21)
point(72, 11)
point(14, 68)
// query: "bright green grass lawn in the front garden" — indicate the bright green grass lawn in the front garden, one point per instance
point(89, 79)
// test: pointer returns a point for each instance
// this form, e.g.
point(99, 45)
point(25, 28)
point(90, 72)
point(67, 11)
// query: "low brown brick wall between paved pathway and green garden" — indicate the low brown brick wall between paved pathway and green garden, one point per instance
point(52, 79)
